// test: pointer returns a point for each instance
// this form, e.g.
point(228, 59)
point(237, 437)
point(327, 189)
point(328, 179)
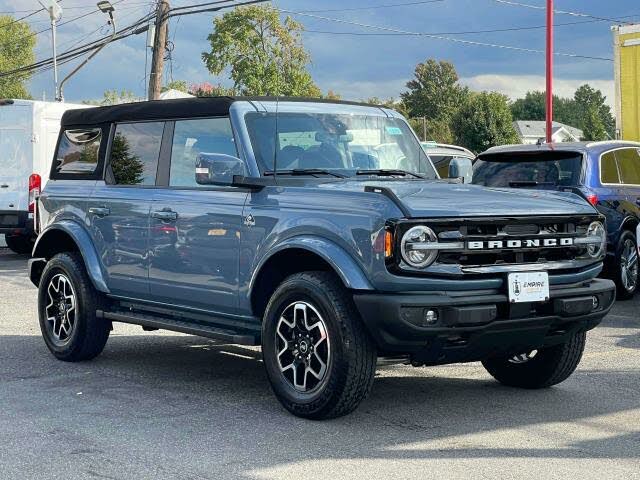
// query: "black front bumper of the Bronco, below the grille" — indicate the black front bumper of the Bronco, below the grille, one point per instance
point(478, 324)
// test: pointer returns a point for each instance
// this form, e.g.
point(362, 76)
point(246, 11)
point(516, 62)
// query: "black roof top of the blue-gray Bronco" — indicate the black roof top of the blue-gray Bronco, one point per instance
point(175, 108)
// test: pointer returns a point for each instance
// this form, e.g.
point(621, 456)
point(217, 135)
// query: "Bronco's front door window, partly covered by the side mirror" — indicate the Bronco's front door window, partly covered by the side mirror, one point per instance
point(192, 138)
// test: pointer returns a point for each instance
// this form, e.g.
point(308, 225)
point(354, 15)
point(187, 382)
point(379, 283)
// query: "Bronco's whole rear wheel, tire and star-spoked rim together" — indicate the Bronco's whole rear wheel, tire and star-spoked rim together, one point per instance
point(67, 304)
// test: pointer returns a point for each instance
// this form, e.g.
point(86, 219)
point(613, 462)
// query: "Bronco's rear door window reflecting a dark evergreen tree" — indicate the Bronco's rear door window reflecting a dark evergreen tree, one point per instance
point(134, 153)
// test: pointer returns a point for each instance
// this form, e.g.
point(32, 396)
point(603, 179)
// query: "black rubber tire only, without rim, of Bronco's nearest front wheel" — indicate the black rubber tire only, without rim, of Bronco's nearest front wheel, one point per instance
point(351, 367)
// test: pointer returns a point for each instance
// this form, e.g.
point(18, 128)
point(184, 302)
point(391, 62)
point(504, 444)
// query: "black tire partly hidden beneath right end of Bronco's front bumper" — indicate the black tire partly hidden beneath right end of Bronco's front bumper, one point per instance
point(548, 367)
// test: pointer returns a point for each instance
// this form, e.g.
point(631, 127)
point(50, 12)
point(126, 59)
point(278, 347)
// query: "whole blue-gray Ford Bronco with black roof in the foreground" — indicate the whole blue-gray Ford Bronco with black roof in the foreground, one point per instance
point(318, 230)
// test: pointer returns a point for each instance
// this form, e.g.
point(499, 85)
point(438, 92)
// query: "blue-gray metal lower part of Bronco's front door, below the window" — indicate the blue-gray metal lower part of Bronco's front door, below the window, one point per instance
point(194, 259)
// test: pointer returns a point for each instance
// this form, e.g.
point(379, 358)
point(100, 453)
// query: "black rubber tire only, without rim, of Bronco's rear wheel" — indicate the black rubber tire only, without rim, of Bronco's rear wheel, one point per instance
point(90, 333)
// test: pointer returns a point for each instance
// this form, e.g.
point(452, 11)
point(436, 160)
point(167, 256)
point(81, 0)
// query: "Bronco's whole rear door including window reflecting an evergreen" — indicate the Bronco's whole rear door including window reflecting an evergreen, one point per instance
point(119, 207)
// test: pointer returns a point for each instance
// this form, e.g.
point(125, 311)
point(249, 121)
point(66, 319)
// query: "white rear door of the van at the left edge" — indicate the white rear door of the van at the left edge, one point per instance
point(15, 157)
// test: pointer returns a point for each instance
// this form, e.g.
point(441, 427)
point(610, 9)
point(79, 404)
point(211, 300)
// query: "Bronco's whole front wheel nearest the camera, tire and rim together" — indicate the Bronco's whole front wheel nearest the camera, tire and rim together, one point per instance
point(318, 356)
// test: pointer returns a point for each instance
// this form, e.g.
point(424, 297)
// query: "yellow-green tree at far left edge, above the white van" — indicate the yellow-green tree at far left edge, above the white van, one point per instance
point(17, 44)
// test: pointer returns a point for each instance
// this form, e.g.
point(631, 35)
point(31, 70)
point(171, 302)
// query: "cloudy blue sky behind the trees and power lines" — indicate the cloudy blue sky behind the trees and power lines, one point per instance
point(349, 55)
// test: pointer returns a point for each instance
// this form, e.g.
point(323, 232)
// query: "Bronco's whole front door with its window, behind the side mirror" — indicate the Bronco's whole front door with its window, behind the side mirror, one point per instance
point(195, 229)
